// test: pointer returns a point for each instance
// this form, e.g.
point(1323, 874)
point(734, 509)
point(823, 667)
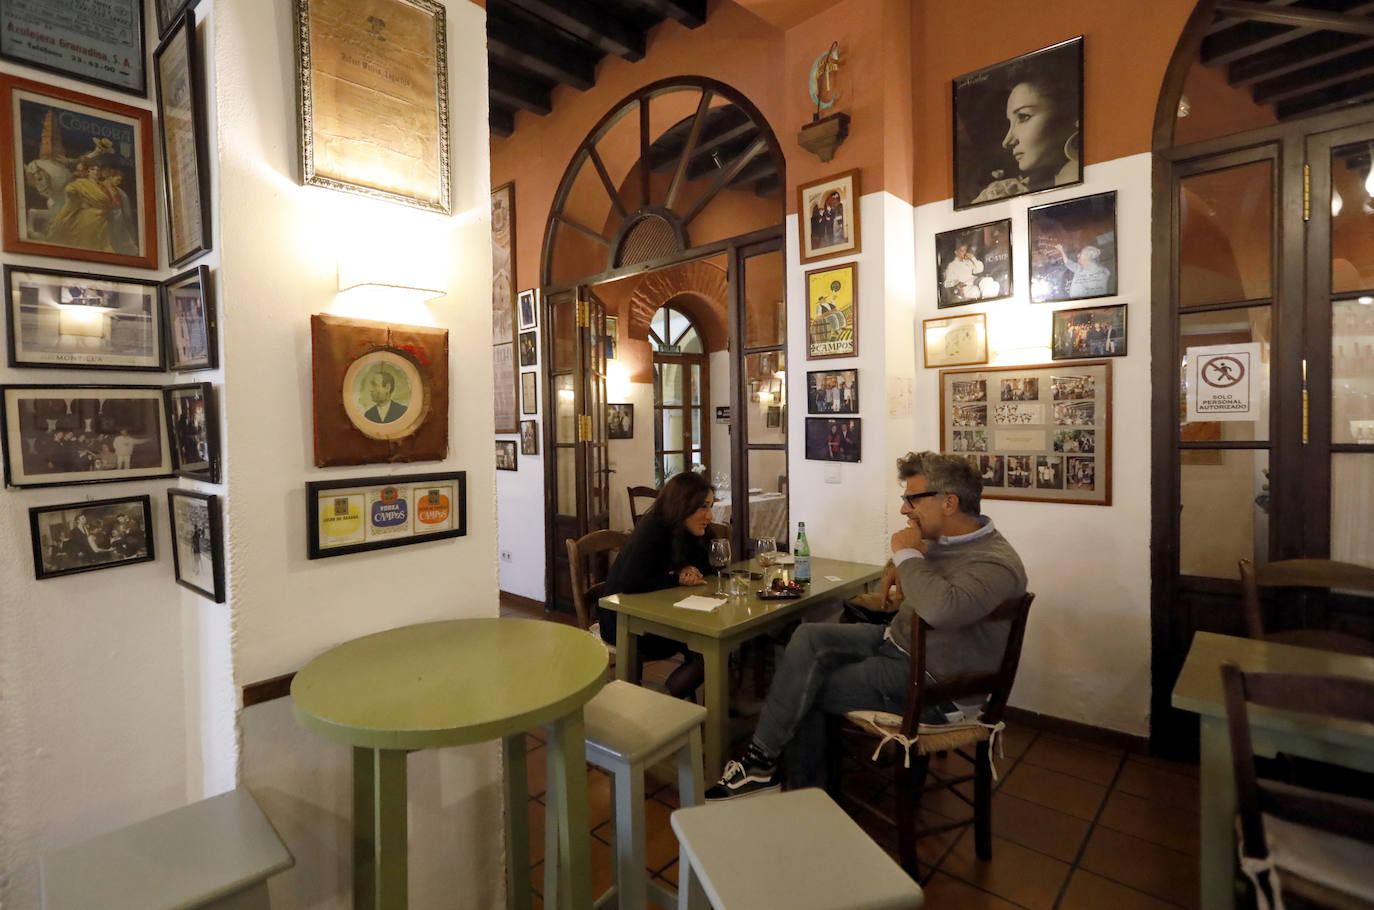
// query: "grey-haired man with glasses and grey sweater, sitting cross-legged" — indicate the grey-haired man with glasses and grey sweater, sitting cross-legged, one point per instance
point(950, 567)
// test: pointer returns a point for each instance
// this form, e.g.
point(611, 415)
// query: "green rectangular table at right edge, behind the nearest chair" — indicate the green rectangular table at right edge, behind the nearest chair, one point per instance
point(1199, 691)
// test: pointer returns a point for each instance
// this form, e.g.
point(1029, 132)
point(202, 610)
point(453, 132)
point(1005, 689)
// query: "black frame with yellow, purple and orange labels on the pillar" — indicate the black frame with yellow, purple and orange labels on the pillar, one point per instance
point(373, 513)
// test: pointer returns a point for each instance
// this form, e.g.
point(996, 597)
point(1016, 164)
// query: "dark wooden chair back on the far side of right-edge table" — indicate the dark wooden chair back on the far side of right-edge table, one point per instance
point(1305, 574)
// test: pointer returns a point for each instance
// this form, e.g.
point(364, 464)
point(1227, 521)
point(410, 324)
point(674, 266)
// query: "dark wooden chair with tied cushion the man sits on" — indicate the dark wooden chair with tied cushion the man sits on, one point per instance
point(916, 743)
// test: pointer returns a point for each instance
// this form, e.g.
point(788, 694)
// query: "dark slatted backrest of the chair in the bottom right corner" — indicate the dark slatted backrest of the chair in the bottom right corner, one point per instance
point(1336, 698)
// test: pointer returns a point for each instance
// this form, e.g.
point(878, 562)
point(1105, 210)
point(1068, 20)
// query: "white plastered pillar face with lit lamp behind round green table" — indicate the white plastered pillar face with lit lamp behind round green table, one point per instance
point(282, 243)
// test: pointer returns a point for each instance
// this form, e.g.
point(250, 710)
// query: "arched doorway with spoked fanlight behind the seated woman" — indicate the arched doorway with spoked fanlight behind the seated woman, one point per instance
point(679, 185)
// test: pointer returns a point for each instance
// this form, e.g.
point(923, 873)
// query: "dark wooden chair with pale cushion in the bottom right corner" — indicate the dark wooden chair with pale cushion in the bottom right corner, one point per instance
point(1300, 847)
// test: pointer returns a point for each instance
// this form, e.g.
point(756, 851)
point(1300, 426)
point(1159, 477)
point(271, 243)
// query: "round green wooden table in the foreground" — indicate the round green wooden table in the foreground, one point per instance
point(454, 684)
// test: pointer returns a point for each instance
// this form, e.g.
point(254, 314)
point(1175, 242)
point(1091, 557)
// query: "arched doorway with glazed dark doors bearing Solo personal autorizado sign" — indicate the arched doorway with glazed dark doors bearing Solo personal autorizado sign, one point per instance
point(1263, 284)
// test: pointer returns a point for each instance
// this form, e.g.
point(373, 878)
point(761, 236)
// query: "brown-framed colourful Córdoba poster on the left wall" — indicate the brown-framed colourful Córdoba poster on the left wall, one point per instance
point(58, 148)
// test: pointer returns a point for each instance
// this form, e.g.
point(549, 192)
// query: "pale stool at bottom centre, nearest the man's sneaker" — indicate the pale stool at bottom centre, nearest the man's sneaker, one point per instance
point(793, 850)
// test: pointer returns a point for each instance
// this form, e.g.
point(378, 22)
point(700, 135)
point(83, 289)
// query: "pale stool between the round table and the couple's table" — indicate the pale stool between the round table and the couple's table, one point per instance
point(630, 729)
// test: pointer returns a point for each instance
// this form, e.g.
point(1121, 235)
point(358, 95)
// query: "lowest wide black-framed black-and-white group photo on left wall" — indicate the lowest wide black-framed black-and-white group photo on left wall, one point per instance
point(85, 537)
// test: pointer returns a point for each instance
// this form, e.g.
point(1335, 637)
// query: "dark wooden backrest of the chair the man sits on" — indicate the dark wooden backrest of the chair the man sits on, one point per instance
point(995, 685)
